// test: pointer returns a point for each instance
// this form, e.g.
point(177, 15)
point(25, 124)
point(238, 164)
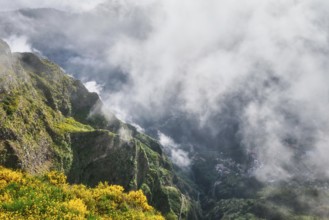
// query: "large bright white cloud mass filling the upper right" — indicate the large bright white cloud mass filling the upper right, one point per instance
point(273, 54)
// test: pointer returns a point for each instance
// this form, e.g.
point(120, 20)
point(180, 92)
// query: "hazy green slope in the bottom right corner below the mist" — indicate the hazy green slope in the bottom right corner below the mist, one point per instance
point(294, 202)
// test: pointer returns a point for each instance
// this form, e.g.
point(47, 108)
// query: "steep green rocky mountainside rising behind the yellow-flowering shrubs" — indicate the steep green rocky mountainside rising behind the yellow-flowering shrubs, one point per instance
point(49, 121)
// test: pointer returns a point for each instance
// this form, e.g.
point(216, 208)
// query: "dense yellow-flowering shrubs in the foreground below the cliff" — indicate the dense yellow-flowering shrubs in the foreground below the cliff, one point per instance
point(23, 196)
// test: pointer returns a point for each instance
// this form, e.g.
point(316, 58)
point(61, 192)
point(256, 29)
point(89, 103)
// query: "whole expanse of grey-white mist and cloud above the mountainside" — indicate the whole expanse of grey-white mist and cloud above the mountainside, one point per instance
point(227, 77)
